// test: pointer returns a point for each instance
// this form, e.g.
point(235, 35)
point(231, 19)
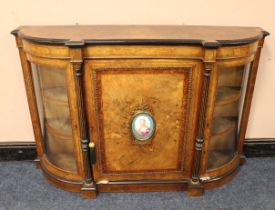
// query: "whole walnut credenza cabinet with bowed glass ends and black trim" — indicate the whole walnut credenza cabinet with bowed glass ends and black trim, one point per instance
point(139, 108)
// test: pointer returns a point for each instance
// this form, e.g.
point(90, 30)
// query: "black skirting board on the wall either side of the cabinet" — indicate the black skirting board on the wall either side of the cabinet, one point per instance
point(19, 151)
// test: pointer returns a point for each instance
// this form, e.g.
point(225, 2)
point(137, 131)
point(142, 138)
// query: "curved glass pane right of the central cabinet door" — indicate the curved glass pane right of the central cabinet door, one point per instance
point(228, 107)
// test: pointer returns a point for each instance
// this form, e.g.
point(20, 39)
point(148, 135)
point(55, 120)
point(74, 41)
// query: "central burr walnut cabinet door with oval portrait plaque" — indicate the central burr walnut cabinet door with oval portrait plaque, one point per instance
point(142, 117)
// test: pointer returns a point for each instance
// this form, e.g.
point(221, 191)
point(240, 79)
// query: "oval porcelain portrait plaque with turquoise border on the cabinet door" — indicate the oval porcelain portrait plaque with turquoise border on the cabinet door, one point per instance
point(143, 126)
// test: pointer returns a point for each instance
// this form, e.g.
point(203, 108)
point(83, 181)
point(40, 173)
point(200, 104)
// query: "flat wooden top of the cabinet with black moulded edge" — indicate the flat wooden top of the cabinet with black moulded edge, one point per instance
point(209, 36)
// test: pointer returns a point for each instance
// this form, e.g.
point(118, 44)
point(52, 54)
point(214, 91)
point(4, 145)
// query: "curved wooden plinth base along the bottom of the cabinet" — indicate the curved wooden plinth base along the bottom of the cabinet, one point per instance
point(89, 191)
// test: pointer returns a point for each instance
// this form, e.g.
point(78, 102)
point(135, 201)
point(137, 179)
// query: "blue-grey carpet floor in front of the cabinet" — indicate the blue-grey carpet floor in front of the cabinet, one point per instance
point(23, 187)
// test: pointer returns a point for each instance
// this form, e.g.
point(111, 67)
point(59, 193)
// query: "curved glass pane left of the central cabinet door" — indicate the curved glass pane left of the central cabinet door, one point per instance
point(52, 101)
